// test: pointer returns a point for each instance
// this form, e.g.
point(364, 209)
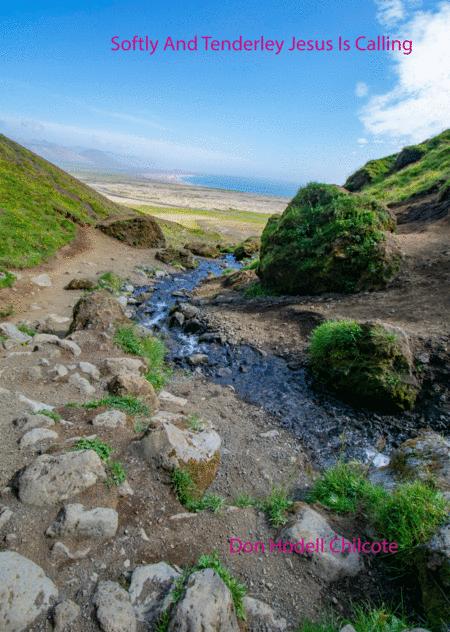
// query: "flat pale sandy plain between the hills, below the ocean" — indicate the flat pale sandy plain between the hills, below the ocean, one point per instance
point(135, 191)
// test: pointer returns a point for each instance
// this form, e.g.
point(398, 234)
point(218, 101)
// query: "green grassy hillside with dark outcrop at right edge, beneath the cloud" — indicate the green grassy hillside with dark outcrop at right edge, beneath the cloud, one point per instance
point(416, 169)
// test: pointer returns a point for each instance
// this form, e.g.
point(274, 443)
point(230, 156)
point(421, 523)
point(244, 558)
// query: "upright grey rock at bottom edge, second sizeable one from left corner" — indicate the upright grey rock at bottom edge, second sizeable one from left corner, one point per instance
point(114, 610)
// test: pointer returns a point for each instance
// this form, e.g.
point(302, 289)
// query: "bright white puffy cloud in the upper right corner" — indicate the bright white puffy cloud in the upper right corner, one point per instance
point(419, 104)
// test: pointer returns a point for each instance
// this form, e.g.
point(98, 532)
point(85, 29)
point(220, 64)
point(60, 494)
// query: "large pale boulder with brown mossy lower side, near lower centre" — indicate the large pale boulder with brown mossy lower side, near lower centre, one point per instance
point(172, 445)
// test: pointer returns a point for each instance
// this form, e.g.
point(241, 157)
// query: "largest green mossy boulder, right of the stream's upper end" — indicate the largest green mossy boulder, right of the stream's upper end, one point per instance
point(328, 241)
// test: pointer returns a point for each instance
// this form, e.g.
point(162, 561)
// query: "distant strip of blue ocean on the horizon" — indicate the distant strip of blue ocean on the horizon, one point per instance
point(260, 186)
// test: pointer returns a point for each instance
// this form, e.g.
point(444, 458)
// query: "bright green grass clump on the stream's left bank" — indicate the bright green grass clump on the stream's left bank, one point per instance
point(151, 348)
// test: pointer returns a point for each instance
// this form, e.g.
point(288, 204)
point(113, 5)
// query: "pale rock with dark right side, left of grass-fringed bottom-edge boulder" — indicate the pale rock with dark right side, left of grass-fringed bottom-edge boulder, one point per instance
point(150, 590)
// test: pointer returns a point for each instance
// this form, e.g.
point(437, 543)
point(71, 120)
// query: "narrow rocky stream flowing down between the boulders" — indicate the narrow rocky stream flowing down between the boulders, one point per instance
point(327, 428)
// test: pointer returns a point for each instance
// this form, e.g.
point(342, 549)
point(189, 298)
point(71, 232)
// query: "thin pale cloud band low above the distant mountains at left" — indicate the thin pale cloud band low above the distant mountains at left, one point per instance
point(161, 152)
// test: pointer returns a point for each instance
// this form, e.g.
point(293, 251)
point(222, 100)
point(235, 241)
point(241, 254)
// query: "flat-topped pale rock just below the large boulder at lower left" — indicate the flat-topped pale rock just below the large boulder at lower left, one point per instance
point(76, 520)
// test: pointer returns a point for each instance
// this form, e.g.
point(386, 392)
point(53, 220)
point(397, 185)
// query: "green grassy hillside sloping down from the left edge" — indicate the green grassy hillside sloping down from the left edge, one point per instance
point(40, 206)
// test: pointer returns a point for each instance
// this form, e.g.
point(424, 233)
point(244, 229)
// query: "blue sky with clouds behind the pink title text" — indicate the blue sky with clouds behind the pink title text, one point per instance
point(296, 116)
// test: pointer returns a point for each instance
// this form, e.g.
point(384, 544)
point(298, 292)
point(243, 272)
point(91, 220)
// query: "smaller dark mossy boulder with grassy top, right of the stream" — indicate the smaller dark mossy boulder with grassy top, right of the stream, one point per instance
point(367, 364)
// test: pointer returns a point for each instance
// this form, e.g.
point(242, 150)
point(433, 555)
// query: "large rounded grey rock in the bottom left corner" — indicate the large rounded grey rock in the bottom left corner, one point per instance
point(25, 592)
